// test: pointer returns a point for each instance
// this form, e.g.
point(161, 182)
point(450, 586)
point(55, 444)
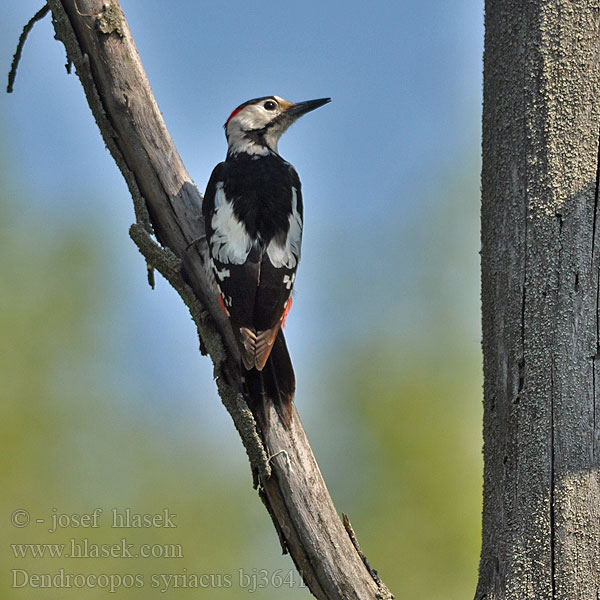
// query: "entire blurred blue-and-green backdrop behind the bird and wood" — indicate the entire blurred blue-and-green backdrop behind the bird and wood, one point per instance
point(105, 401)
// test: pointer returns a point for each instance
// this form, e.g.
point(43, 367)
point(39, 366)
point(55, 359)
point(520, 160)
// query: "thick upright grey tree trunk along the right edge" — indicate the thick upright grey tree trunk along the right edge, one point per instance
point(540, 276)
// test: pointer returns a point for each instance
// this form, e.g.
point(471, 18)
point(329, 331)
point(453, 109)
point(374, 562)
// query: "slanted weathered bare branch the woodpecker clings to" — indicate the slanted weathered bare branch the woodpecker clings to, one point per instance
point(167, 204)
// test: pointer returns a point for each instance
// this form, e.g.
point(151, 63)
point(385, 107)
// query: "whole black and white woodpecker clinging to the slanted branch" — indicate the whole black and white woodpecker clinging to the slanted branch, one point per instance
point(253, 216)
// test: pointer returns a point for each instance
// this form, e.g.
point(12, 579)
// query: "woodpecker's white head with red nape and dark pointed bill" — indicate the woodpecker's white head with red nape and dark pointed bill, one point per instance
point(256, 126)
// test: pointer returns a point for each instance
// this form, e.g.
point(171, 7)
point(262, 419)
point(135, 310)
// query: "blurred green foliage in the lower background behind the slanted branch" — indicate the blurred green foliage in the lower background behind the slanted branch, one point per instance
point(397, 430)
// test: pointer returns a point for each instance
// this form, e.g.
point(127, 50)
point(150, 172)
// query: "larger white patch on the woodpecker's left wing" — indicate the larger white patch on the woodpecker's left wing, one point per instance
point(230, 242)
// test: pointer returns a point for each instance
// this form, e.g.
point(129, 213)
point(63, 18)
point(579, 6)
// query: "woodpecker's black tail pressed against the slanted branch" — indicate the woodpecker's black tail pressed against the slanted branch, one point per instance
point(275, 384)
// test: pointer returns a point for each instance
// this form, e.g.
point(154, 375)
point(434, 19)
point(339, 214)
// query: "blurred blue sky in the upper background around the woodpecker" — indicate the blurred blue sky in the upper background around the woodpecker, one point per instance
point(405, 80)
